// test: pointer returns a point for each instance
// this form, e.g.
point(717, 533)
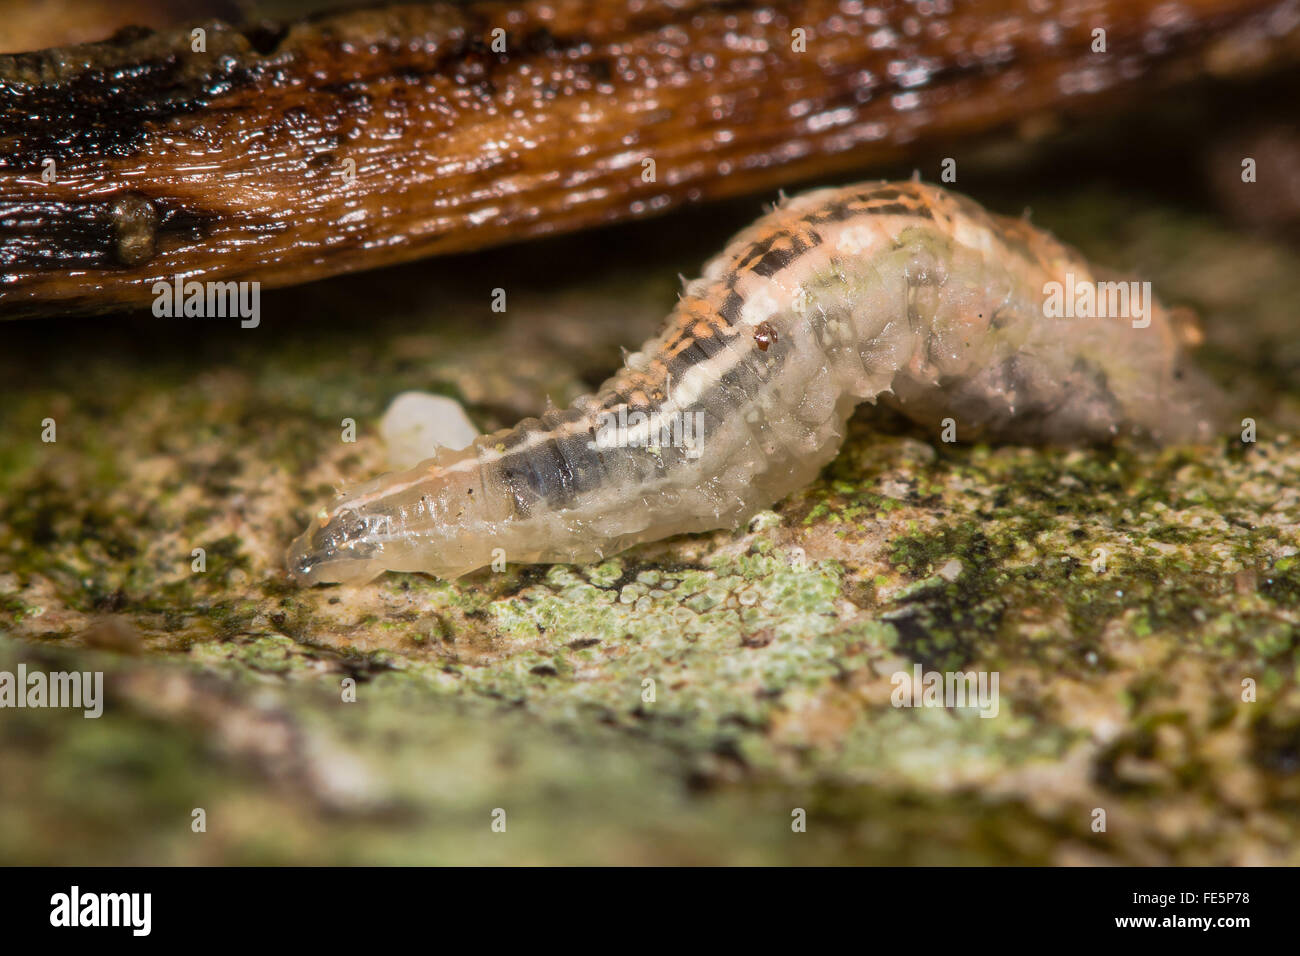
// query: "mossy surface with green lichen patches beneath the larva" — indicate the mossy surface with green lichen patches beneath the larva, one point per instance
point(684, 702)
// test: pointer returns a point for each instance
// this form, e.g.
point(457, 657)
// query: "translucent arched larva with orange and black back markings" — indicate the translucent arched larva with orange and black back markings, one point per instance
point(887, 291)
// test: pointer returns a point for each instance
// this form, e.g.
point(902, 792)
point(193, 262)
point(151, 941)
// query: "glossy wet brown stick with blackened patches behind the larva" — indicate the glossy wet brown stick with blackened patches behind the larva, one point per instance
point(237, 162)
